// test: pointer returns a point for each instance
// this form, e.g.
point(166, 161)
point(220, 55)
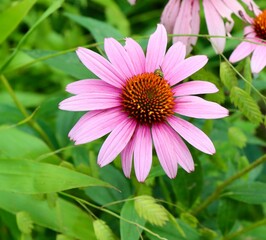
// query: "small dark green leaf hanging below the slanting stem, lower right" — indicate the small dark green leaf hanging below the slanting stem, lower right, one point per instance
point(227, 214)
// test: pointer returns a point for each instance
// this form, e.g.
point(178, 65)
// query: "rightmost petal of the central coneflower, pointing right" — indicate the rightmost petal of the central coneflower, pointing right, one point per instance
point(197, 107)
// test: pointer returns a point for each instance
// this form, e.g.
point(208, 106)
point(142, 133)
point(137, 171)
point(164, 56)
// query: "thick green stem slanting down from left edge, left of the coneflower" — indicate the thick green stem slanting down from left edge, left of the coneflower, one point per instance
point(23, 110)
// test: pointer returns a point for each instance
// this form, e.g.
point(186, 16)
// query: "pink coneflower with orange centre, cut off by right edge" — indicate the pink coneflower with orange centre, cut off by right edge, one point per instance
point(255, 32)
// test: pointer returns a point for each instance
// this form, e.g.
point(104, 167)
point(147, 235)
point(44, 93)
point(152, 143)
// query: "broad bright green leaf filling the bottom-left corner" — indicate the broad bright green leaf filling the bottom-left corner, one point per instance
point(65, 217)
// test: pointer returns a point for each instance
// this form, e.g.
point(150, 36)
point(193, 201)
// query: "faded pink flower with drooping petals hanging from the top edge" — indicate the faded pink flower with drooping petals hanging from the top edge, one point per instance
point(182, 17)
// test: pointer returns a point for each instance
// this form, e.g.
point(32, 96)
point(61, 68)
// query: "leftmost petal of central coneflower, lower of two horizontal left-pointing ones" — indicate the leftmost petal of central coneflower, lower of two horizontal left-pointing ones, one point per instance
point(91, 101)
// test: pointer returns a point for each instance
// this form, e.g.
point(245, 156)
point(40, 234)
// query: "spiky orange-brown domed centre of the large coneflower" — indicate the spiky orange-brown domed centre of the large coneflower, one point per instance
point(148, 98)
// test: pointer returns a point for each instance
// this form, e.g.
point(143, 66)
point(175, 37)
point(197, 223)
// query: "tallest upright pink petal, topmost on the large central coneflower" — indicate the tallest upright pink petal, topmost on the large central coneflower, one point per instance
point(156, 49)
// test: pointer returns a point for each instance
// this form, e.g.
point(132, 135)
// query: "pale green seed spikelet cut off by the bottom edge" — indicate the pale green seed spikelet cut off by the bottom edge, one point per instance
point(102, 230)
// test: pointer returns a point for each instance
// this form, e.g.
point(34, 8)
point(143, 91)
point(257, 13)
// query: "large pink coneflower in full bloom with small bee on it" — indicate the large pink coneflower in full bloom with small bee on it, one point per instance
point(137, 100)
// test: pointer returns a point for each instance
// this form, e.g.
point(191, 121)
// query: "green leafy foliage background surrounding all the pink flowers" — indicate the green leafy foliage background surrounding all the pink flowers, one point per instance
point(51, 189)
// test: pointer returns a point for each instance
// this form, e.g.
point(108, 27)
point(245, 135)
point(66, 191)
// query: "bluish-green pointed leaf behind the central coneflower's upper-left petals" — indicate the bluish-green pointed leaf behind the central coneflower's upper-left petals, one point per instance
point(98, 29)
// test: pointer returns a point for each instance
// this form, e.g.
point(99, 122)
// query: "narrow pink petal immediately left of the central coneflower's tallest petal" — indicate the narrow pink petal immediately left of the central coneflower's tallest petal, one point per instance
point(136, 55)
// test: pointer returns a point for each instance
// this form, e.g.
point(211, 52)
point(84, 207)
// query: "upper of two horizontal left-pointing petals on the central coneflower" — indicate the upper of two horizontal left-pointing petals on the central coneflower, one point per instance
point(90, 86)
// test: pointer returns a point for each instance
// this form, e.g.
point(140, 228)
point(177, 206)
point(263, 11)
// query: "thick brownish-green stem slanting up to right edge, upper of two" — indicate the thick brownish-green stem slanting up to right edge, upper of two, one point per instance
point(215, 195)
